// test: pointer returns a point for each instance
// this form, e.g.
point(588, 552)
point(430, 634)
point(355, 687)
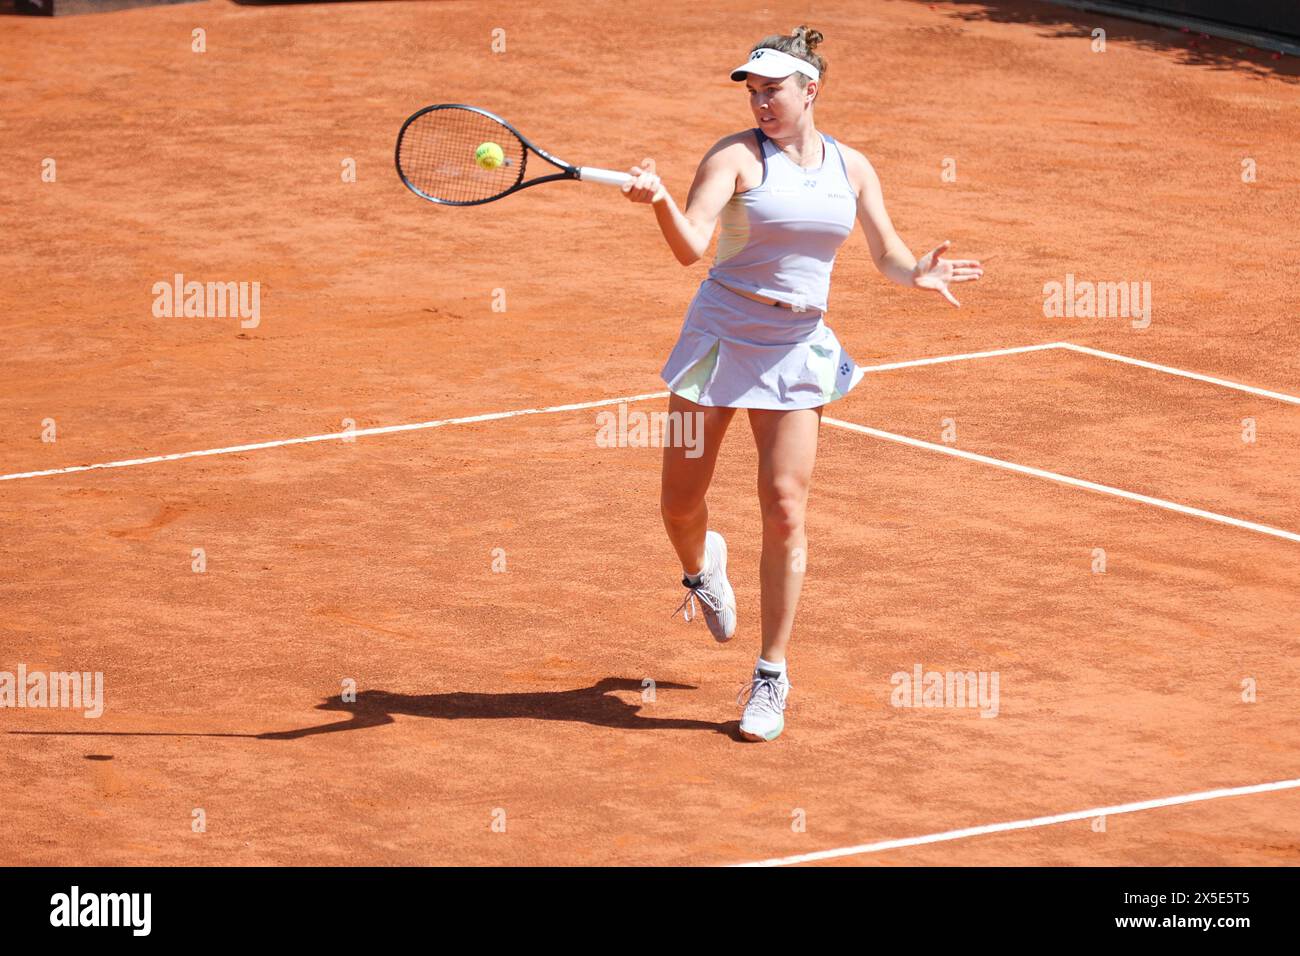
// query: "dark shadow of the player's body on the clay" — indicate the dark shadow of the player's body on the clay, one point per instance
point(593, 704)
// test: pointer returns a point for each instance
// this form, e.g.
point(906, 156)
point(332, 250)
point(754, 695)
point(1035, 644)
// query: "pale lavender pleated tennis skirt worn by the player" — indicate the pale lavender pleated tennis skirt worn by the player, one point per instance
point(736, 353)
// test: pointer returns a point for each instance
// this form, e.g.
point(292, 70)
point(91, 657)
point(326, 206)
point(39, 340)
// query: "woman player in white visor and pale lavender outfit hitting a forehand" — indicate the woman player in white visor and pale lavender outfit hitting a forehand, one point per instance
point(755, 336)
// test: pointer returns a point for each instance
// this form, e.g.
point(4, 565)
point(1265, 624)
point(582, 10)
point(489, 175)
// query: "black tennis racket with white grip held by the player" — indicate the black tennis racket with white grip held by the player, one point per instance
point(436, 158)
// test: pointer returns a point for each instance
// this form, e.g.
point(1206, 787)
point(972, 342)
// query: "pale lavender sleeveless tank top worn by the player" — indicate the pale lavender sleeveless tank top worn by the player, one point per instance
point(781, 239)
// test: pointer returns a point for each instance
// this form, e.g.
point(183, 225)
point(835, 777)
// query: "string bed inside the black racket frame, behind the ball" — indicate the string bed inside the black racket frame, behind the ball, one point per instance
point(437, 157)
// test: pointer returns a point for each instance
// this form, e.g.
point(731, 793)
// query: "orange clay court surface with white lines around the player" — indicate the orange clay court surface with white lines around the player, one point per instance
point(500, 589)
